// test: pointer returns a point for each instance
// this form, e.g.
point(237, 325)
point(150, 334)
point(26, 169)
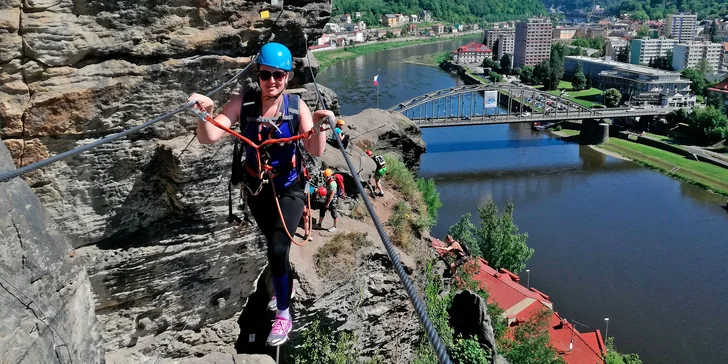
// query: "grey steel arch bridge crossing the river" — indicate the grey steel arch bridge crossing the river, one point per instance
point(467, 105)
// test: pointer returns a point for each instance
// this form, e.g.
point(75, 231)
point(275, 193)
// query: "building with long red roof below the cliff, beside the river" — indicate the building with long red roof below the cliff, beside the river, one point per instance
point(521, 304)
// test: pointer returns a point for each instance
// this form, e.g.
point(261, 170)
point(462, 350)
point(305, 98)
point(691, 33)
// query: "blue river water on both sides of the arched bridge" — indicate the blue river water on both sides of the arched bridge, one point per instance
point(611, 239)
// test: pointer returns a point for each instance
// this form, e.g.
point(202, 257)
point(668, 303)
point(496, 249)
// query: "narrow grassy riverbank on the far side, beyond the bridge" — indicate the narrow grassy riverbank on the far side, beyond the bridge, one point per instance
point(327, 58)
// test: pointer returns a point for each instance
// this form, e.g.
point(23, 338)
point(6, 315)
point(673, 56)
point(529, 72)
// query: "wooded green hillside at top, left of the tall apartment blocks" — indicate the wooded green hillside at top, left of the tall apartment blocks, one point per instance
point(456, 11)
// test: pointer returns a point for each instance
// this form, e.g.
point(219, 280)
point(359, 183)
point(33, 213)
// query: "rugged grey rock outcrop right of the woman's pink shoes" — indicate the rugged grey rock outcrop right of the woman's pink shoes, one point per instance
point(370, 302)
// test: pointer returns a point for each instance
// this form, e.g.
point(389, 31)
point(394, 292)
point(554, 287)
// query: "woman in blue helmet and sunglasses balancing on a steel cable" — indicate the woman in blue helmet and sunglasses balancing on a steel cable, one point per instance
point(269, 114)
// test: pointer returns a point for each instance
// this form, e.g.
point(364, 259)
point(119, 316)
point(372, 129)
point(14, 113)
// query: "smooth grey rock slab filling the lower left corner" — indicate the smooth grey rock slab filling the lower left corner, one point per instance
point(45, 293)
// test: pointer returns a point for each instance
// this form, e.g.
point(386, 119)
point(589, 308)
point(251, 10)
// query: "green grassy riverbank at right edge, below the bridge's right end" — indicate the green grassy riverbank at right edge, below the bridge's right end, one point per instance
point(701, 174)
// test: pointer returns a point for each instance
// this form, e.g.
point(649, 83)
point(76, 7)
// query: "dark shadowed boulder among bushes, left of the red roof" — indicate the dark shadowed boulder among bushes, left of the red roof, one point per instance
point(469, 317)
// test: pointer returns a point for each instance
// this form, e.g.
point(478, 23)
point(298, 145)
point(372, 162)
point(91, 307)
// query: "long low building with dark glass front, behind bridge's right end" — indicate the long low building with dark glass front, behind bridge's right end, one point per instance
point(639, 82)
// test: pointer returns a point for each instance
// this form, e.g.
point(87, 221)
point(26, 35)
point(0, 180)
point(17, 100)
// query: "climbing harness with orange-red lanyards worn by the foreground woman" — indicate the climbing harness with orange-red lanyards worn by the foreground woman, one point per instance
point(264, 171)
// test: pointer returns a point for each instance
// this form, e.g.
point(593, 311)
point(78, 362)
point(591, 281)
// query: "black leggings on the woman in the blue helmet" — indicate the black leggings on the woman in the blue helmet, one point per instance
point(265, 213)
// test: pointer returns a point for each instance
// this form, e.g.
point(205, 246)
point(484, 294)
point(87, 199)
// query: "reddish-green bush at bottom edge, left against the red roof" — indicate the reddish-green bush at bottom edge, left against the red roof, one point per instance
point(531, 342)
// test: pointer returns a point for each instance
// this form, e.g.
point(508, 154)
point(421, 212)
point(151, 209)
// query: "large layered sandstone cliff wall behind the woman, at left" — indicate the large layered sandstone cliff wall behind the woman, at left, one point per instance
point(146, 212)
